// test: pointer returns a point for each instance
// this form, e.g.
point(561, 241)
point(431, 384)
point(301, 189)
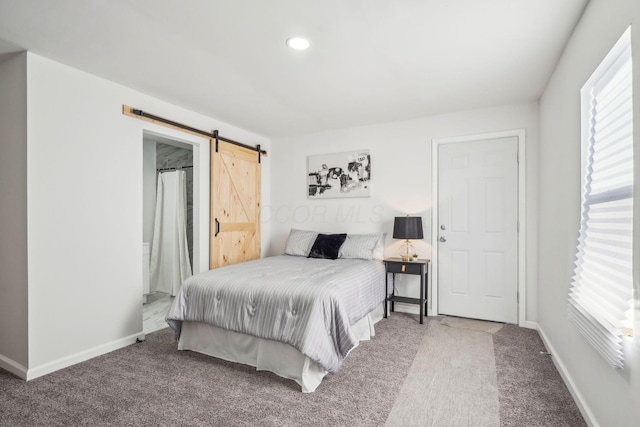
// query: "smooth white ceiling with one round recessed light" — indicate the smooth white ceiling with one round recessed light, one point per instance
point(370, 61)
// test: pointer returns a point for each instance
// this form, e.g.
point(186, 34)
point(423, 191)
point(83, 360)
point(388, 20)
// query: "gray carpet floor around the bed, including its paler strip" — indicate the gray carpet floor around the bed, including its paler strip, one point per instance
point(456, 375)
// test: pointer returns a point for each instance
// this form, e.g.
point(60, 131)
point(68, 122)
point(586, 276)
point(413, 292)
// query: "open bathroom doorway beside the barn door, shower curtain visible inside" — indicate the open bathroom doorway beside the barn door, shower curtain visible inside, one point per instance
point(172, 169)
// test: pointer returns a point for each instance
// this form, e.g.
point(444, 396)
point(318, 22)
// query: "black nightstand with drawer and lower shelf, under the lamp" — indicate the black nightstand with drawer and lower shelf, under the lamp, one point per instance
point(397, 266)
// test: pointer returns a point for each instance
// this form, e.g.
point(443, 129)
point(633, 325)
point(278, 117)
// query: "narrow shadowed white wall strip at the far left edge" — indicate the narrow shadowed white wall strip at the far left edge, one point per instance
point(13, 214)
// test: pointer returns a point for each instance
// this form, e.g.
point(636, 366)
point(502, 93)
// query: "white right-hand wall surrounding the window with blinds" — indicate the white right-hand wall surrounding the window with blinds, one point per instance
point(608, 397)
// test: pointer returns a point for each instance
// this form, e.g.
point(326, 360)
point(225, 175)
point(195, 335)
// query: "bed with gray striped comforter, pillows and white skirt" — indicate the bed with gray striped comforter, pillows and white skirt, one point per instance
point(297, 315)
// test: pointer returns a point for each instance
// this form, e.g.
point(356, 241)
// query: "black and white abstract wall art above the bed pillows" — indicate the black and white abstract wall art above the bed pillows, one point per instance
point(335, 175)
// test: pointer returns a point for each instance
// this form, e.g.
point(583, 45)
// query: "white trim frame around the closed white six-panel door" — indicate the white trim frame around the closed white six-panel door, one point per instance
point(522, 228)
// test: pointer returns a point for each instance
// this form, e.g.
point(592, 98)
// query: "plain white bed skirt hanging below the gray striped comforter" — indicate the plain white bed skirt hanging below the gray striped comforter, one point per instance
point(265, 355)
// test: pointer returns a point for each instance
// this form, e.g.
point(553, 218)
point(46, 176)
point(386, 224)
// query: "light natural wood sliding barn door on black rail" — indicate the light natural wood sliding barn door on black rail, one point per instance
point(235, 204)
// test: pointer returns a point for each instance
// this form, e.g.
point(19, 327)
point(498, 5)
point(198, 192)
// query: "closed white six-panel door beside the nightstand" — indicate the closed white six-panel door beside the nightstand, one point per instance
point(478, 229)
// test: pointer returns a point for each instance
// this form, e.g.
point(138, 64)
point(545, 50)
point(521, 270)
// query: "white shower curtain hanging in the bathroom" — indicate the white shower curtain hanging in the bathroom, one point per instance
point(169, 265)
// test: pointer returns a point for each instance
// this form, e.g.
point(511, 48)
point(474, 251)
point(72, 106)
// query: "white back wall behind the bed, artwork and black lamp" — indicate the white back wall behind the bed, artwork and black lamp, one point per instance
point(401, 184)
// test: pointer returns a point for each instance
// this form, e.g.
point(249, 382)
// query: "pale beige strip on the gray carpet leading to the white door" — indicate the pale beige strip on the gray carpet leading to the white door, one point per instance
point(452, 381)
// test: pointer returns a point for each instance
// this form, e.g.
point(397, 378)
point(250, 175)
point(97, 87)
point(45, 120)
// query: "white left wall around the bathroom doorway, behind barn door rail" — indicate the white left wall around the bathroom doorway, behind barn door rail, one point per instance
point(85, 210)
